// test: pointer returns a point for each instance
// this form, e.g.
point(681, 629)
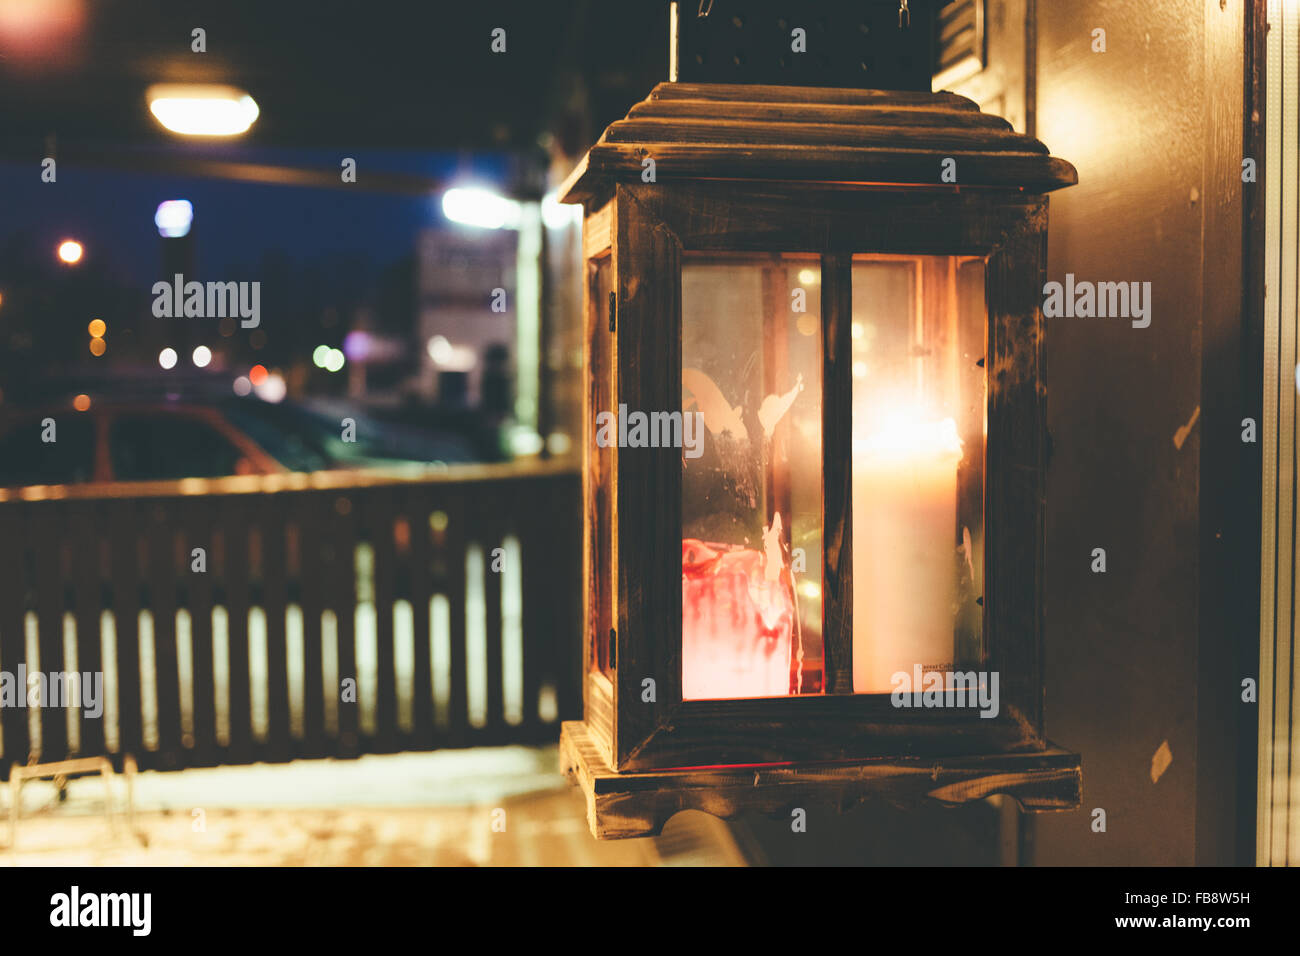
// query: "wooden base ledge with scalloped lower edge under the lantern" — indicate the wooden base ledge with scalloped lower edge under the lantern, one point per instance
point(639, 804)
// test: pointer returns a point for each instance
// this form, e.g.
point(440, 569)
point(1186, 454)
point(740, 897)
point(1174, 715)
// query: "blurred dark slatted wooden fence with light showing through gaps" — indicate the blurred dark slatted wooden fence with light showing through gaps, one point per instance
point(279, 561)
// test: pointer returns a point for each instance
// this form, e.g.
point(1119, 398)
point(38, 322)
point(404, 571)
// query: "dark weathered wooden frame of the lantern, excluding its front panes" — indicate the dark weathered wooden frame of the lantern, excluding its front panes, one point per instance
point(831, 174)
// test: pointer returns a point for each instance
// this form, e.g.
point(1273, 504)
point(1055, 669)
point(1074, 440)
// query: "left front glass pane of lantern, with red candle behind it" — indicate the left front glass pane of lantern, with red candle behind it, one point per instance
point(752, 487)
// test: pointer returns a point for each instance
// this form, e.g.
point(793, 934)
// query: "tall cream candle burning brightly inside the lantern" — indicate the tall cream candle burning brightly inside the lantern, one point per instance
point(904, 579)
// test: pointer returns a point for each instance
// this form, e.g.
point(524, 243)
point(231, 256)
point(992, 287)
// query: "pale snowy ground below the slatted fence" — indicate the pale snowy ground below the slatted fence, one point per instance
point(409, 810)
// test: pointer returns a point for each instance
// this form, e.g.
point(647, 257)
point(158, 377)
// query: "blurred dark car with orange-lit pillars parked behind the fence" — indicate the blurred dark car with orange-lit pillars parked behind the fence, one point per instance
point(159, 442)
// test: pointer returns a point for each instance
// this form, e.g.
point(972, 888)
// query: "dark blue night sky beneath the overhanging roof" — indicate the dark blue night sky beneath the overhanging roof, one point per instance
point(236, 224)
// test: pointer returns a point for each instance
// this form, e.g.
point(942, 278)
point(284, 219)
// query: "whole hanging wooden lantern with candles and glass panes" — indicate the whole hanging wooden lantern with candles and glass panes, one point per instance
point(842, 292)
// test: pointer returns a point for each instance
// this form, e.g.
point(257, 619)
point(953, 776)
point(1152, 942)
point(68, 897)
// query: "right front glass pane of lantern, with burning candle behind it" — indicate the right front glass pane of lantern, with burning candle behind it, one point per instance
point(918, 470)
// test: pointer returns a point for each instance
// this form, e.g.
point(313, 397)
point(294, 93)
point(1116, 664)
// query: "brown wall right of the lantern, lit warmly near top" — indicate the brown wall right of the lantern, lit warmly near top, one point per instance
point(1142, 655)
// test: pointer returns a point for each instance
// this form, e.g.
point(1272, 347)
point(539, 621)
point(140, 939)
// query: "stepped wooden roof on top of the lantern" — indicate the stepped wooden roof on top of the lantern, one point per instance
point(814, 135)
